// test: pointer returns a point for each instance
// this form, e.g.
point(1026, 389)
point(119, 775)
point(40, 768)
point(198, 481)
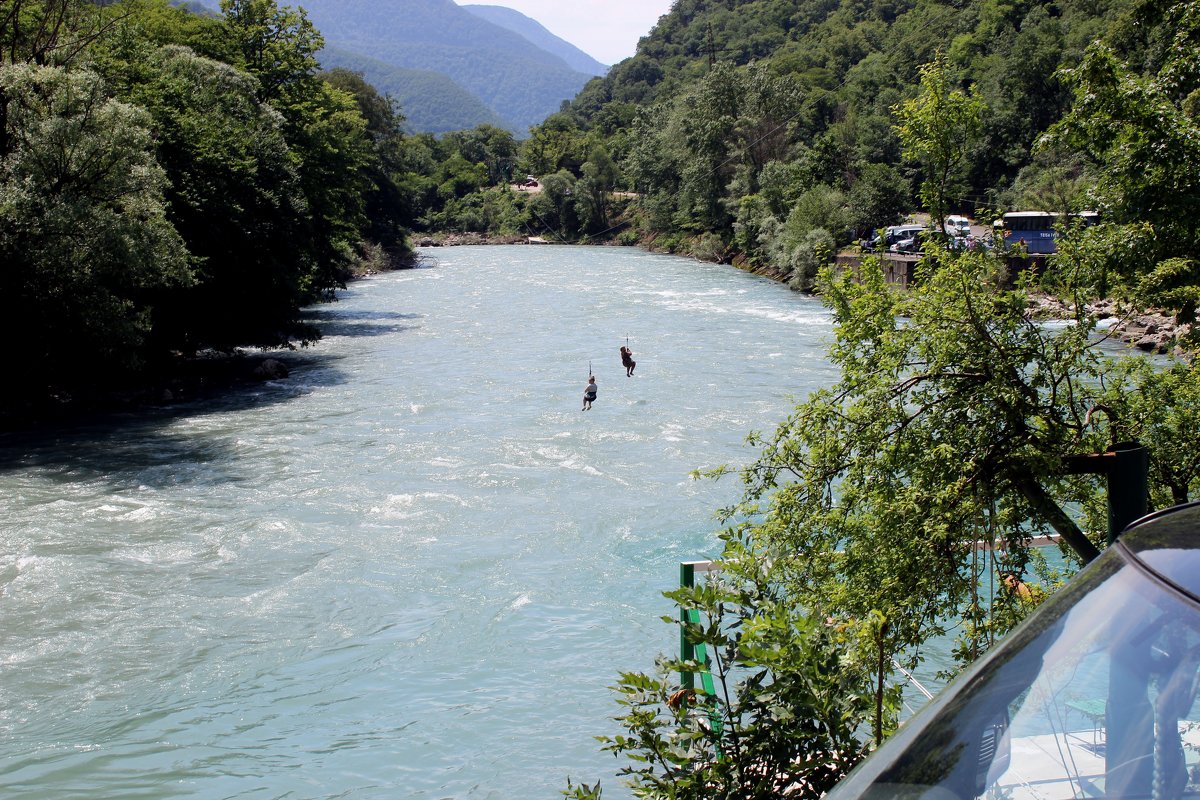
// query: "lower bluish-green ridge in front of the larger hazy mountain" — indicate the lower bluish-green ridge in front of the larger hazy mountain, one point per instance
point(431, 103)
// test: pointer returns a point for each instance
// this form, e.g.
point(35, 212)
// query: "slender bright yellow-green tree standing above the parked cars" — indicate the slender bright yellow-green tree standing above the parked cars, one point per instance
point(938, 130)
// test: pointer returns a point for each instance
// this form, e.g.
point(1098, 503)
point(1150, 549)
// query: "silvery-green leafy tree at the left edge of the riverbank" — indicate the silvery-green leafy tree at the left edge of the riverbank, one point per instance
point(85, 236)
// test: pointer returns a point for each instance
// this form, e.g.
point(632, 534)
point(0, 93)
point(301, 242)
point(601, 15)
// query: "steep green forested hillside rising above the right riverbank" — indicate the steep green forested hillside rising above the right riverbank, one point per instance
point(734, 115)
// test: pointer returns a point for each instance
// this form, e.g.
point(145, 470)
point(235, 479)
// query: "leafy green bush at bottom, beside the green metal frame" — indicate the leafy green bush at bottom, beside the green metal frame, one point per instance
point(793, 706)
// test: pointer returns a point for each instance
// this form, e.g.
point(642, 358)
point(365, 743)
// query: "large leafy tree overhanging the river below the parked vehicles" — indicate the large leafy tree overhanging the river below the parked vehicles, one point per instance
point(946, 429)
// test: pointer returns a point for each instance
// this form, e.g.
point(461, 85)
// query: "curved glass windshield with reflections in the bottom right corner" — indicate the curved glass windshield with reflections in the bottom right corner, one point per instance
point(1094, 697)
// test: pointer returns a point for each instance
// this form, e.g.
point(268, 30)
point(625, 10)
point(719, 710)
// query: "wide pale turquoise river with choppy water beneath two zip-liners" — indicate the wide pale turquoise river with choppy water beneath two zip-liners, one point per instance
point(412, 569)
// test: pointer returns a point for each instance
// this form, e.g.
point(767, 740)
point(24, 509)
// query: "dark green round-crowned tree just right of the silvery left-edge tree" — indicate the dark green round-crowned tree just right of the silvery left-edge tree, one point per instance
point(236, 197)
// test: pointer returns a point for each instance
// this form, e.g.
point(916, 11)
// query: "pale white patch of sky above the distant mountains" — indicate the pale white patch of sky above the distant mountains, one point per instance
point(608, 31)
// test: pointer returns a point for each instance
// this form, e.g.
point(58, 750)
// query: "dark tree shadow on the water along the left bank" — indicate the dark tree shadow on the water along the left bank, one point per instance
point(124, 443)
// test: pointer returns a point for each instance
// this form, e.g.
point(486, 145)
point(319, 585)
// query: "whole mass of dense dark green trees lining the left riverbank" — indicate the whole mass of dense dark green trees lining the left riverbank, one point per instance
point(176, 182)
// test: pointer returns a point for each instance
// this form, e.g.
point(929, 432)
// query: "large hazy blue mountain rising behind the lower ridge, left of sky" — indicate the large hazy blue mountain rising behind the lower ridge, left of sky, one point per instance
point(518, 81)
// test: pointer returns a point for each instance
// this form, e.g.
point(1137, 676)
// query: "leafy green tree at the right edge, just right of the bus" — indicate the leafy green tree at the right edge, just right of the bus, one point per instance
point(1143, 136)
